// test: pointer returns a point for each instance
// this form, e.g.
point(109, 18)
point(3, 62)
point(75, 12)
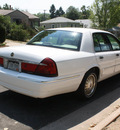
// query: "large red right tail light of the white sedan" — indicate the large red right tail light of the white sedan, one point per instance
point(46, 68)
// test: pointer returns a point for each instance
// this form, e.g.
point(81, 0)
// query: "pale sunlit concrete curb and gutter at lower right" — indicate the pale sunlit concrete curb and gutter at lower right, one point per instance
point(102, 119)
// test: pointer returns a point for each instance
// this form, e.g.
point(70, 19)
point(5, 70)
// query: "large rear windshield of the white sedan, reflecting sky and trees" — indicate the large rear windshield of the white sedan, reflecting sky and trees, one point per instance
point(58, 39)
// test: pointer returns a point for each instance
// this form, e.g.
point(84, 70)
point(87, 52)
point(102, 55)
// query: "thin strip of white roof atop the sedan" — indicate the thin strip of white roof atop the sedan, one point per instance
point(82, 30)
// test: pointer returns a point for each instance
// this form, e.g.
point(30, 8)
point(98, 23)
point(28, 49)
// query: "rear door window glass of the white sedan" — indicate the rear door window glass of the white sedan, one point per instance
point(100, 43)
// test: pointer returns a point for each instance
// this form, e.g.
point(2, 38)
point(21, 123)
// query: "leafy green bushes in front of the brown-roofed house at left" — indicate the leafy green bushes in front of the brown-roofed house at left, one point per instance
point(20, 32)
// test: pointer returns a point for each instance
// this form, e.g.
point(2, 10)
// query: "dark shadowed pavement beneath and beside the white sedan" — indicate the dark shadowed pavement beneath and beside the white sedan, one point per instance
point(39, 113)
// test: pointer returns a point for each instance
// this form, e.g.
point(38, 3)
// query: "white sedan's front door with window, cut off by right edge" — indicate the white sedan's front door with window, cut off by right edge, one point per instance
point(115, 43)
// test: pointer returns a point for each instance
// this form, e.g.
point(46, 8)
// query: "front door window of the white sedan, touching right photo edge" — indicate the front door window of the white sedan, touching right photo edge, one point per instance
point(114, 42)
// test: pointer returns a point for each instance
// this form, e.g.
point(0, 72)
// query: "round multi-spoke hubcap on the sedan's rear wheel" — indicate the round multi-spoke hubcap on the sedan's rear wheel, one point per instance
point(90, 85)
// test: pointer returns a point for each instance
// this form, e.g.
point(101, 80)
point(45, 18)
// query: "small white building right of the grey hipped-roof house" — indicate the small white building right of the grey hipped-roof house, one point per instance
point(85, 23)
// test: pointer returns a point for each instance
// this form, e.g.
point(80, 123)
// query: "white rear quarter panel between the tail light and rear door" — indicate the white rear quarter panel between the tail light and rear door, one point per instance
point(77, 65)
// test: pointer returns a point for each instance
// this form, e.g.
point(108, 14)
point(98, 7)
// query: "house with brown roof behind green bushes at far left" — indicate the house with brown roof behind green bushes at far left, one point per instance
point(21, 17)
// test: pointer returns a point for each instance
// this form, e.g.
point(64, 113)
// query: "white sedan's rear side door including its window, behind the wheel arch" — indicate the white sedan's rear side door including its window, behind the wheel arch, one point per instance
point(104, 55)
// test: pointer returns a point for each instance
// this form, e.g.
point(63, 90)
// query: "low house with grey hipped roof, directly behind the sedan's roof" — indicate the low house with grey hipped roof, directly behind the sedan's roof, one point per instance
point(59, 22)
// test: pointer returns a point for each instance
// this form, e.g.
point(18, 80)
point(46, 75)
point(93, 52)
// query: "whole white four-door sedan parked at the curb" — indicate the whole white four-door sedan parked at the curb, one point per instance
point(58, 61)
